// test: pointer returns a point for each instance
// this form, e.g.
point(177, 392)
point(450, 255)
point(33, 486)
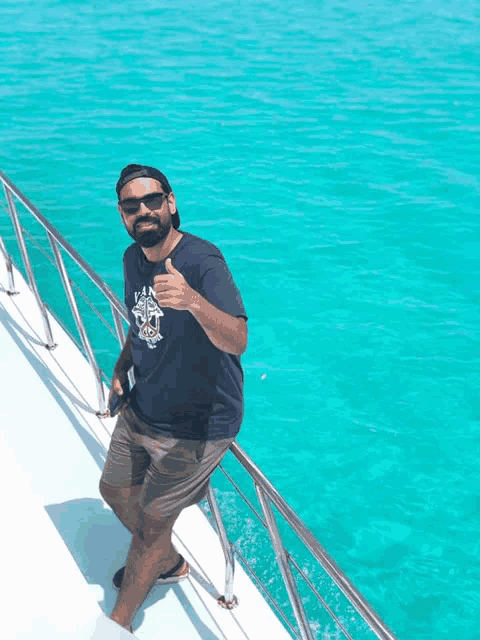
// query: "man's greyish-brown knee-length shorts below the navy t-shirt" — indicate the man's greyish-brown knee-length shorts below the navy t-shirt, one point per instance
point(174, 472)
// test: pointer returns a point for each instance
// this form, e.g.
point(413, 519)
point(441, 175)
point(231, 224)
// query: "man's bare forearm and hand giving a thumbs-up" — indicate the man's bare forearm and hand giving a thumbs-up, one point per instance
point(226, 332)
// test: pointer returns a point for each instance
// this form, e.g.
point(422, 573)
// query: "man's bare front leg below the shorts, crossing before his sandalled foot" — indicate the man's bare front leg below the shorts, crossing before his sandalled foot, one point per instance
point(151, 553)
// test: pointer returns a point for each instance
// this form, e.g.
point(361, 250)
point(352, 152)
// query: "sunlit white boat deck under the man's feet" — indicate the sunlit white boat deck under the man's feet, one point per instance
point(60, 543)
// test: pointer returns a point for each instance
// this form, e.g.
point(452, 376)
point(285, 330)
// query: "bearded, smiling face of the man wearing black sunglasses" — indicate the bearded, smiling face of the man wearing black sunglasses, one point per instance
point(152, 221)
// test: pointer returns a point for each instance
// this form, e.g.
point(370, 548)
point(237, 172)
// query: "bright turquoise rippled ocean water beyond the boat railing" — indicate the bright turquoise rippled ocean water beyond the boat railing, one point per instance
point(331, 150)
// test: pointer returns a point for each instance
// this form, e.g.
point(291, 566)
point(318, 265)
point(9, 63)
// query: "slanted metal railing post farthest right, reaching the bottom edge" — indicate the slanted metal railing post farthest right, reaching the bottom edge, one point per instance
point(284, 566)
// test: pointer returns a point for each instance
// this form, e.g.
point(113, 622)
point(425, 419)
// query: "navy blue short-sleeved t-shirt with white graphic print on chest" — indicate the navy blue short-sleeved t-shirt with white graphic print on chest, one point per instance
point(185, 386)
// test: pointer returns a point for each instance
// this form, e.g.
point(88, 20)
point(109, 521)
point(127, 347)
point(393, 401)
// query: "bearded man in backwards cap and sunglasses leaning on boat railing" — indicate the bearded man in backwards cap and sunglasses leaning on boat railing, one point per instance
point(187, 330)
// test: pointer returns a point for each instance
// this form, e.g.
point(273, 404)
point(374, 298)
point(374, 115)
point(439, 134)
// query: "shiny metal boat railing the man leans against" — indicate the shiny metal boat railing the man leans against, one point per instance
point(266, 493)
